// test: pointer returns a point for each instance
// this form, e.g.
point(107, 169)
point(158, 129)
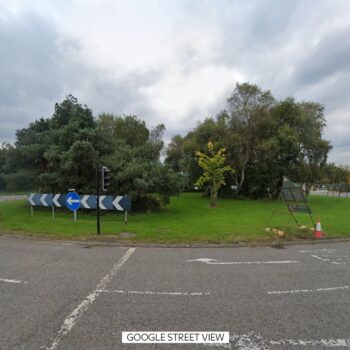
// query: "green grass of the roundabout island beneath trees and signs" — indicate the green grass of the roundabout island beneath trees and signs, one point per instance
point(188, 219)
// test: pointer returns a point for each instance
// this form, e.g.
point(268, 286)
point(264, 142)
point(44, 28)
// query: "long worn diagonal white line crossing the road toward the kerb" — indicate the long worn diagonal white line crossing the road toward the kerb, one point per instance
point(75, 315)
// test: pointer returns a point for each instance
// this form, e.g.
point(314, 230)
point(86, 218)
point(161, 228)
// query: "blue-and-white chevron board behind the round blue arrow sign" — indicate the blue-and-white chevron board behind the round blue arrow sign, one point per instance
point(120, 203)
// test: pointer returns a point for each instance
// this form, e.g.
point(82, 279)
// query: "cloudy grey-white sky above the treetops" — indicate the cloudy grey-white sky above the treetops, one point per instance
point(173, 61)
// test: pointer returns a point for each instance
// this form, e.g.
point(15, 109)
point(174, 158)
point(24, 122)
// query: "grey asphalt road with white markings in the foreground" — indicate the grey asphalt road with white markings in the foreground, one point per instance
point(63, 296)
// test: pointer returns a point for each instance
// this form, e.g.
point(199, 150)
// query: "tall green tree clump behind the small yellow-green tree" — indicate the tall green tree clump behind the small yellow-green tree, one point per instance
point(264, 140)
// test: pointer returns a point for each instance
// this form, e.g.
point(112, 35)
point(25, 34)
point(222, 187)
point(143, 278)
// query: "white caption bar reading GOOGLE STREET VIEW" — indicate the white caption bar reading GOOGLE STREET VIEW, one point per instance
point(176, 337)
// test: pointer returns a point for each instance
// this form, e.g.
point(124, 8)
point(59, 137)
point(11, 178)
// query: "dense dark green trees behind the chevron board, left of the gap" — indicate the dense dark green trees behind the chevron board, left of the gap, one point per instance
point(63, 152)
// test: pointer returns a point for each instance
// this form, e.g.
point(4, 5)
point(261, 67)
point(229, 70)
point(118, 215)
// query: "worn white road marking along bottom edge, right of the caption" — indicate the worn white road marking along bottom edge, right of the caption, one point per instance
point(254, 341)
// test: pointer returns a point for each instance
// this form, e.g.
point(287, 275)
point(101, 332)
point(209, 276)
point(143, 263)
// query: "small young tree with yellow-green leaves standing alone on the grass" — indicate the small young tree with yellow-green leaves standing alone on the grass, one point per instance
point(213, 171)
